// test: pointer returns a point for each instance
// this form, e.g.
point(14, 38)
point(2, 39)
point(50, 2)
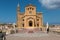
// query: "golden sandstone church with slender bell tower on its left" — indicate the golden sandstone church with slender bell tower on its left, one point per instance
point(30, 18)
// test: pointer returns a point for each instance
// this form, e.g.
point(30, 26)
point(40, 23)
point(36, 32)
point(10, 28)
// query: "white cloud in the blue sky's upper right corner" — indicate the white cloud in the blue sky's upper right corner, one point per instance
point(50, 3)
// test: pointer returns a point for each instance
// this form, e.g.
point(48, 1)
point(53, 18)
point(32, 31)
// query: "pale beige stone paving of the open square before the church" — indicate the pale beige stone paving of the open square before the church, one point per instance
point(33, 36)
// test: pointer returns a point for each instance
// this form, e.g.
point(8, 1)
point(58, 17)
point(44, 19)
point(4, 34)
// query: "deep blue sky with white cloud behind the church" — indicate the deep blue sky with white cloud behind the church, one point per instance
point(49, 8)
